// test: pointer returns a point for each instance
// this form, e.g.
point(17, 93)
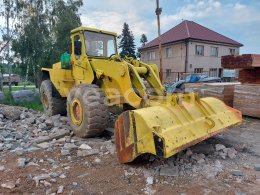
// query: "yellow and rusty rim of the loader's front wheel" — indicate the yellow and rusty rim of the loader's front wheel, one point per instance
point(76, 112)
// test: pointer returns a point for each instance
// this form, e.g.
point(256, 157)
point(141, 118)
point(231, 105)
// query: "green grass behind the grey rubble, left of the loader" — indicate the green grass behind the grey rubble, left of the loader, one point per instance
point(35, 105)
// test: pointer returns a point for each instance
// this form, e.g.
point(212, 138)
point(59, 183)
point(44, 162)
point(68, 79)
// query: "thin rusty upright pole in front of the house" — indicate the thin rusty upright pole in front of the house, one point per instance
point(158, 12)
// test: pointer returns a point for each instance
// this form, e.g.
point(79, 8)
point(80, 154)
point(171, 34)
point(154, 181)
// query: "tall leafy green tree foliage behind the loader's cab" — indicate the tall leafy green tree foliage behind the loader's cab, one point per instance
point(44, 33)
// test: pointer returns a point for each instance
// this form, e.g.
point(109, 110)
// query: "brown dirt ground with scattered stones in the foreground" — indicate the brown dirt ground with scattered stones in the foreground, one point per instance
point(101, 173)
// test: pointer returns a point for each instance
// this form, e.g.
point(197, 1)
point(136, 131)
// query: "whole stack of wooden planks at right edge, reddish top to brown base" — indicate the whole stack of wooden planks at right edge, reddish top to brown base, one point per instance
point(246, 95)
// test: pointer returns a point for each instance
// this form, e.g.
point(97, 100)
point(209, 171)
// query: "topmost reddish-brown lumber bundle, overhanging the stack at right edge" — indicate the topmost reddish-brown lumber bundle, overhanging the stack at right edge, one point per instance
point(240, 61)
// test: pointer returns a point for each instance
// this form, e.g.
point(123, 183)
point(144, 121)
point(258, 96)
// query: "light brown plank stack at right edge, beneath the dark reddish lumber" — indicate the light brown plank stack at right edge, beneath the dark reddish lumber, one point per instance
point(247, 99)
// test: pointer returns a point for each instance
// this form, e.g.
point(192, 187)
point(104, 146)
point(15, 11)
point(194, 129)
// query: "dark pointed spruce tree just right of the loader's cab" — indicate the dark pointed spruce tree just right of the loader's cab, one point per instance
point(127, 42)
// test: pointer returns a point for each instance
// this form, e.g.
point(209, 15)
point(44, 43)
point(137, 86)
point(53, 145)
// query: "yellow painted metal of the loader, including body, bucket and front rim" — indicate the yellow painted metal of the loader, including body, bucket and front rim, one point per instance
point(161, 124)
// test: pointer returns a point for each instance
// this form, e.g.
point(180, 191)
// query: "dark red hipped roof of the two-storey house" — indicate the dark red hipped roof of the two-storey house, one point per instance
point(191, 30)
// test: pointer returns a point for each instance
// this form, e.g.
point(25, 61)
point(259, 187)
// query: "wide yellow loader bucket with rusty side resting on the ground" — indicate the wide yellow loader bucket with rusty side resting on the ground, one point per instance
point(165, 130)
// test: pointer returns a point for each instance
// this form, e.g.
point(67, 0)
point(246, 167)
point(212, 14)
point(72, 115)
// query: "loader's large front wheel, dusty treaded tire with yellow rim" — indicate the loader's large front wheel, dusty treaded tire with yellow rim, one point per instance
point(87, 112)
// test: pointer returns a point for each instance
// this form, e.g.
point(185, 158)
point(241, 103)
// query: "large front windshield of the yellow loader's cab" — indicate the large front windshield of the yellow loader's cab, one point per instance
point(98, 44)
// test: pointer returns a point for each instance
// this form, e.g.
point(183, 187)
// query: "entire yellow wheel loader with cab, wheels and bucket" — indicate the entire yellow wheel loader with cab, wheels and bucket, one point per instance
point(93, 78)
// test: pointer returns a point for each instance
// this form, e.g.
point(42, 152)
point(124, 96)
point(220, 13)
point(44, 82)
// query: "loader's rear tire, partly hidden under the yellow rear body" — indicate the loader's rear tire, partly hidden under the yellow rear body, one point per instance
point(51, 105)
